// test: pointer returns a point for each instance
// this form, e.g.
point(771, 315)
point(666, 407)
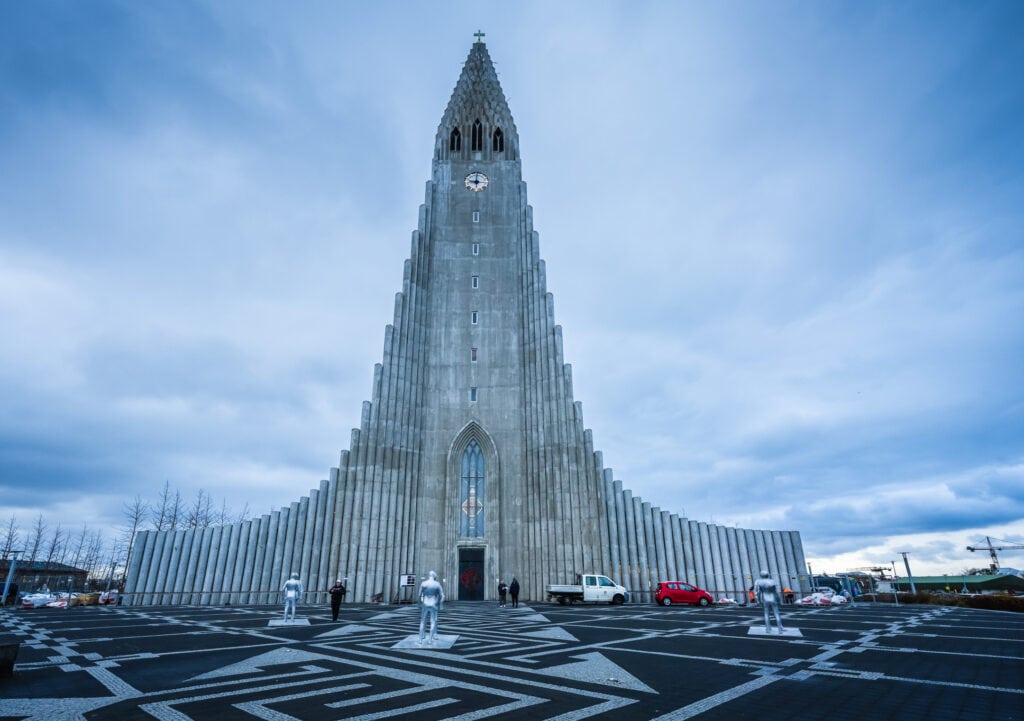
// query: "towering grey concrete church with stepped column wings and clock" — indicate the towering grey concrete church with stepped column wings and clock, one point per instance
point(472, 459)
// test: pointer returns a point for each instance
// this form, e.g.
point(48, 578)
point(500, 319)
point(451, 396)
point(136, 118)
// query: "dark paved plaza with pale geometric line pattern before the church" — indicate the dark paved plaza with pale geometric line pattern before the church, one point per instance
point(546, 662)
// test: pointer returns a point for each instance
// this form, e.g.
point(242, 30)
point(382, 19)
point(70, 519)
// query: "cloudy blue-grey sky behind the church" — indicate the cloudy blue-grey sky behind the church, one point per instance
point(786, 243)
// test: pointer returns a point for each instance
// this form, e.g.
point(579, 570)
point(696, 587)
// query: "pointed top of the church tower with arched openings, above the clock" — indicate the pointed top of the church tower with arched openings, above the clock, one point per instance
point(478, 123)
